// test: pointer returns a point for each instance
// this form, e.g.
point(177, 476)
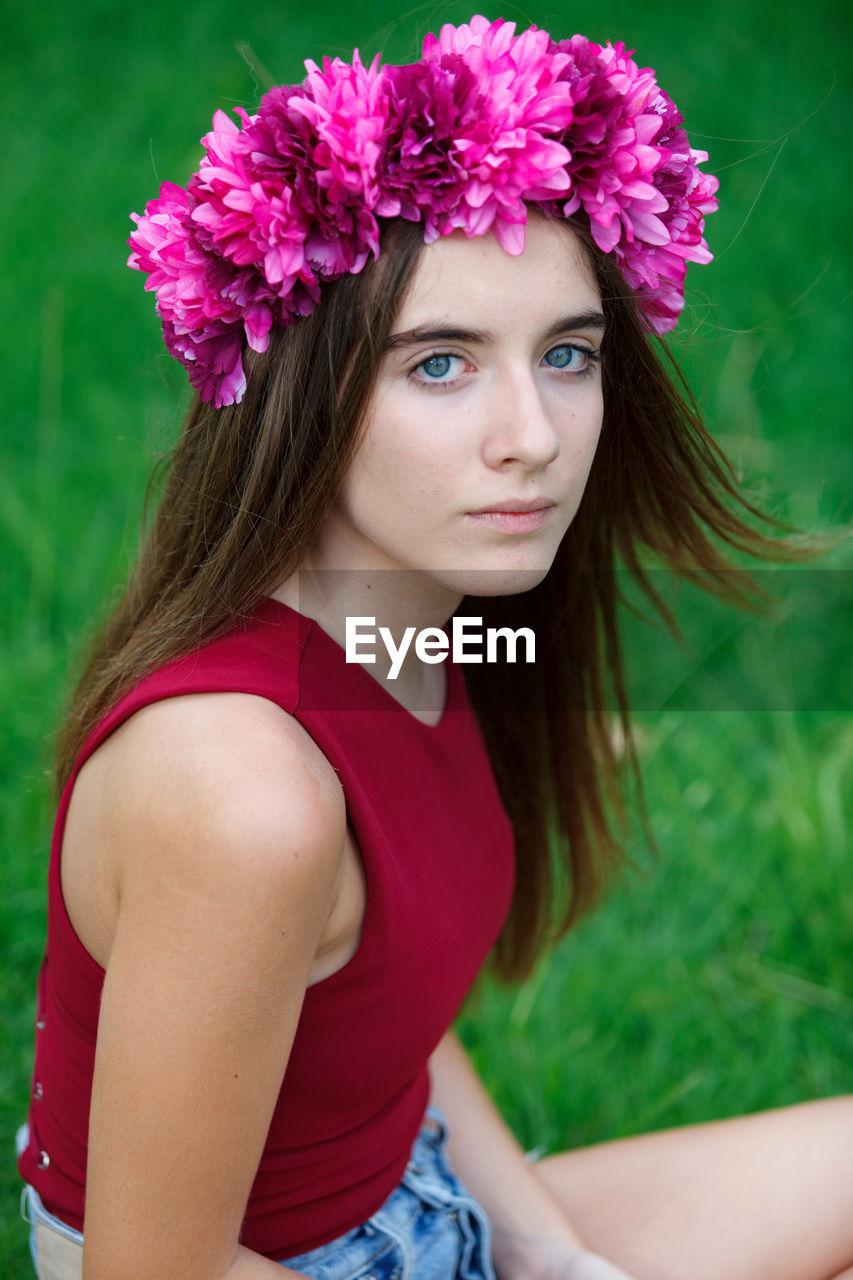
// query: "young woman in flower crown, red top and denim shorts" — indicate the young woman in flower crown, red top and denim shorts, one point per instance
point(416, 303)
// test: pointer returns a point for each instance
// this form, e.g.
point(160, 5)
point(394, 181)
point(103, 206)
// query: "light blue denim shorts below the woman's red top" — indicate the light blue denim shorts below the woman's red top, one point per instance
point(428, 1229)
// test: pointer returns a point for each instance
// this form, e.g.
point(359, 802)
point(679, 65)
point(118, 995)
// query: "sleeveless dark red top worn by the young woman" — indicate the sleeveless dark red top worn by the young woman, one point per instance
point(437, 851)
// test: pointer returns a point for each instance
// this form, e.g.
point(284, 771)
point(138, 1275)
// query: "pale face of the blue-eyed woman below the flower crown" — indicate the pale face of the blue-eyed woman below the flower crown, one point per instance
point(485, 420)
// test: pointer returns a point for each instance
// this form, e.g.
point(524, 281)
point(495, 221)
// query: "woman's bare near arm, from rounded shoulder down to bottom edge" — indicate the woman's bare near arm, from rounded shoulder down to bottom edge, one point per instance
point(226, 830)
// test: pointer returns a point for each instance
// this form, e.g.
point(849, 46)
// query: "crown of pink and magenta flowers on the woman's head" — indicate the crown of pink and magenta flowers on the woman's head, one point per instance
point(486, 122)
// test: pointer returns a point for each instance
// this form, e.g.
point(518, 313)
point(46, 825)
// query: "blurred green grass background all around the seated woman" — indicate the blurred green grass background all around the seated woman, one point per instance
point(718, 977)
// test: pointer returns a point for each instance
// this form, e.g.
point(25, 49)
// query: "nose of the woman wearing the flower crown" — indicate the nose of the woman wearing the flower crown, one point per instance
point(521, 429)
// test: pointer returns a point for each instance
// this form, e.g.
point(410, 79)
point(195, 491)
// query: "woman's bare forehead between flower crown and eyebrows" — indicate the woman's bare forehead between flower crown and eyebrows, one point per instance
point(481, 282)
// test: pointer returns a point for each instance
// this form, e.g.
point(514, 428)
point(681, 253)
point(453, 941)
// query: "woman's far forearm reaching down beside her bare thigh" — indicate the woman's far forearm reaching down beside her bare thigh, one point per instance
point(532, 1237)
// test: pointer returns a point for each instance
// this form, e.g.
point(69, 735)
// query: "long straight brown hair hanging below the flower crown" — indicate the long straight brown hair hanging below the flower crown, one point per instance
point(249, 488)
